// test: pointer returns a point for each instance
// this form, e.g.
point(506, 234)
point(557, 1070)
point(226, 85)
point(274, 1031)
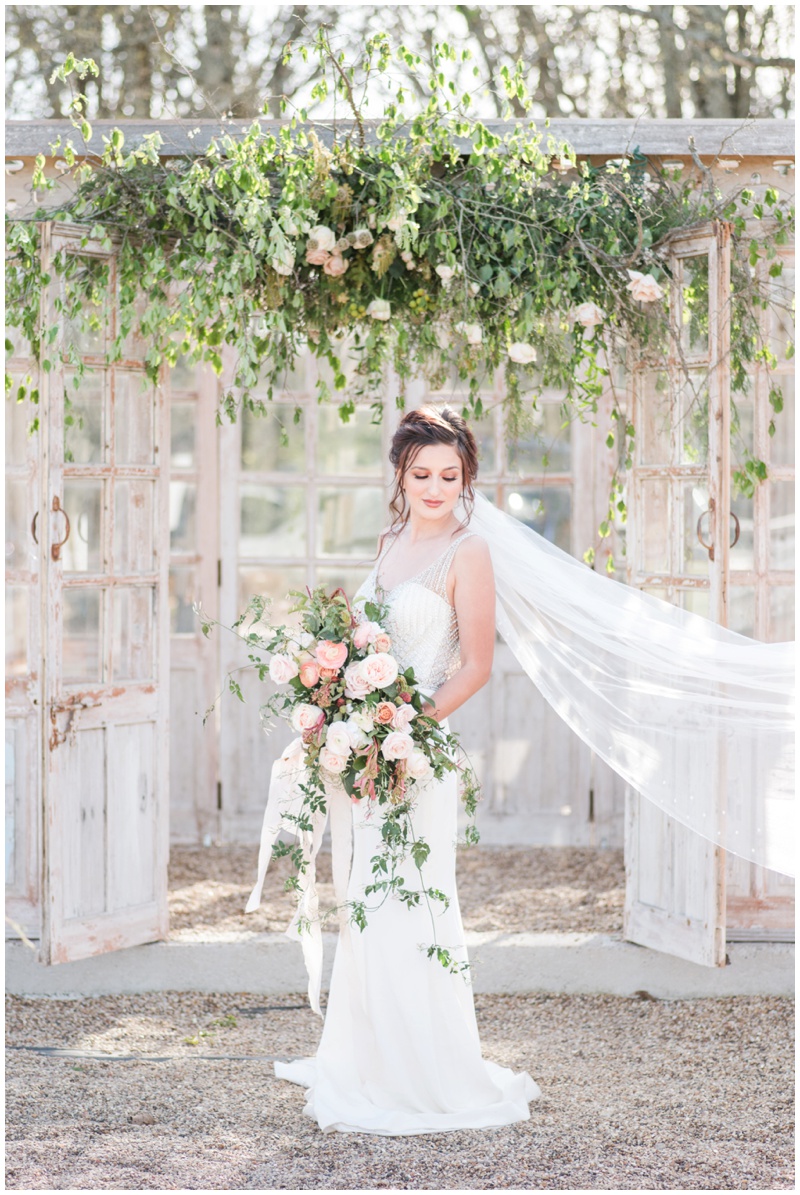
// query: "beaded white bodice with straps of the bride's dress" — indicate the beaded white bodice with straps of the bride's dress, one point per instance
point(422, 622)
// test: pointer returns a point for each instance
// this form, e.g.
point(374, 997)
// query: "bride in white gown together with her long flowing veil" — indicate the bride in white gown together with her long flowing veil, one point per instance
point(695, 718)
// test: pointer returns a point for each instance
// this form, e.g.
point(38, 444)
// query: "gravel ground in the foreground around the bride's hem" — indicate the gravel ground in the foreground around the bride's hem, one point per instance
point(638, 1095)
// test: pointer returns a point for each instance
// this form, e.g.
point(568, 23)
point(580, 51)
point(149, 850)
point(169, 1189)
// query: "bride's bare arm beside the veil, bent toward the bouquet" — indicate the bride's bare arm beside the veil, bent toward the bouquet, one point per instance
point(474, 598)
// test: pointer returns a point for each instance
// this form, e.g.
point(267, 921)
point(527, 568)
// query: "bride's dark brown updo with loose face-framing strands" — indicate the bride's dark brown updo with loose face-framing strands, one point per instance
point(431, 426)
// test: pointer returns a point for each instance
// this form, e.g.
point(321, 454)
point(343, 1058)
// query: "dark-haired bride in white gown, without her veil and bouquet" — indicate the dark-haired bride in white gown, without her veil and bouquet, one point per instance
point(400, 1052)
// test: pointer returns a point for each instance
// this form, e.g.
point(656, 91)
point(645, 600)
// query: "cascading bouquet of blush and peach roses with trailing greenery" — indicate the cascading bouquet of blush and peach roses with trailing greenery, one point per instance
point(363, 726)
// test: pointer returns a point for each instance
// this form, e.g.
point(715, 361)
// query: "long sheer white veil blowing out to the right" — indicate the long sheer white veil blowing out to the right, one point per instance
point(694, 716)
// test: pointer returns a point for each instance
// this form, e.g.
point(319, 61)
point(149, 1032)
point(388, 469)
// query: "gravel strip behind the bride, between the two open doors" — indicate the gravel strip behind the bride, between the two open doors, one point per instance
point(512, 890)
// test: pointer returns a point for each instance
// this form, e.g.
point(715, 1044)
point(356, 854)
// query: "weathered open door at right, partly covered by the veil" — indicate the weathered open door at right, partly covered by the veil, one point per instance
point(679, 548)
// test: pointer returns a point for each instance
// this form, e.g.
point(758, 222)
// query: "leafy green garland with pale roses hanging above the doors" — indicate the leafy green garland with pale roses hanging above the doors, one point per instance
point(430, 243)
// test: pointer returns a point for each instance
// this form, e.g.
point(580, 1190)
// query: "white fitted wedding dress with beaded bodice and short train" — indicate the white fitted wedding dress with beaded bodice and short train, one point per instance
point(400, 1052)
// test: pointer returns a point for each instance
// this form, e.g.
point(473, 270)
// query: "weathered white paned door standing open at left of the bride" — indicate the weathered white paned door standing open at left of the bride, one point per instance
point(102, 522)
